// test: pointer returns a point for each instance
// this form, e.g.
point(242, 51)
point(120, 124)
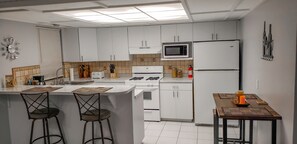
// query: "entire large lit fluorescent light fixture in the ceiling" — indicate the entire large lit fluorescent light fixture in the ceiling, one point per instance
point(147, 13)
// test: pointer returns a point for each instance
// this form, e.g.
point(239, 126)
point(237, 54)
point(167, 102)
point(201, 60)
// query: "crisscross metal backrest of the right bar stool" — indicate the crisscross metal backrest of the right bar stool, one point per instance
point(88, 104)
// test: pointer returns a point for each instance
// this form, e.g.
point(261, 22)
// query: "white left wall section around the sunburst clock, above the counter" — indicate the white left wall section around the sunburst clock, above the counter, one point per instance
point(27, 36)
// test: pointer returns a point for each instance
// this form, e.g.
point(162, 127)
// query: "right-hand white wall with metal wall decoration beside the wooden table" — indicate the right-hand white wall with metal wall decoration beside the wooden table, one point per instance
point(277, 77)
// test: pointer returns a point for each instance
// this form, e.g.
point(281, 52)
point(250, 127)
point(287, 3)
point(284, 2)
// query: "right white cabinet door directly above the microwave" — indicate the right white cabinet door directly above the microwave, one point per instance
point(184, 32)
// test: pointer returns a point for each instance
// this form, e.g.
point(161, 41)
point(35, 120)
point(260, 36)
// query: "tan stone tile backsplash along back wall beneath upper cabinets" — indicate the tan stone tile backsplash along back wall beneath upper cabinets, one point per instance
point(124, 67)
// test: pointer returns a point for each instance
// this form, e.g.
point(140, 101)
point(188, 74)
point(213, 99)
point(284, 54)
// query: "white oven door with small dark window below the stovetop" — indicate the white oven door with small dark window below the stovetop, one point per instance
point(151, 99)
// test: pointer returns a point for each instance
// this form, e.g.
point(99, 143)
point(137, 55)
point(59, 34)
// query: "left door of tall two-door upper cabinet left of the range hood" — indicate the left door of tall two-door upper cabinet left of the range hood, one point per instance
point(104, 37)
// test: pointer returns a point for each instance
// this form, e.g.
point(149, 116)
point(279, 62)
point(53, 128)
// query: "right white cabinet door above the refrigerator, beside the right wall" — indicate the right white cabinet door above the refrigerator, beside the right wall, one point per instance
point(226, 30)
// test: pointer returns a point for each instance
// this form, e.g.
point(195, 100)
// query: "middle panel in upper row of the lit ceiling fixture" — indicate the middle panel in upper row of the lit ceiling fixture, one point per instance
point(122, 10)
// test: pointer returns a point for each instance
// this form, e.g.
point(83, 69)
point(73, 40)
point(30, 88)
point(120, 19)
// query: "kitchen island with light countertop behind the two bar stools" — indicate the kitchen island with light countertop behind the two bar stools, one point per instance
point(122, 100)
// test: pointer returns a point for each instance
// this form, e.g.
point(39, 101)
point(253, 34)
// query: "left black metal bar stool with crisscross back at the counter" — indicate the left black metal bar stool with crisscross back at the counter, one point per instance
point(37, 104)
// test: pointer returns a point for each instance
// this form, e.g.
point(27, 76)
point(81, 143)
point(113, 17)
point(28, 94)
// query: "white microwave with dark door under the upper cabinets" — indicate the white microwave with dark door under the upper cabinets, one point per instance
point(176, 50)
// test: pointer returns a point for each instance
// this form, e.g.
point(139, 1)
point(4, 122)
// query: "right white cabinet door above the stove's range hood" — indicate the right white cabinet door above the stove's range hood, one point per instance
point(152, 36)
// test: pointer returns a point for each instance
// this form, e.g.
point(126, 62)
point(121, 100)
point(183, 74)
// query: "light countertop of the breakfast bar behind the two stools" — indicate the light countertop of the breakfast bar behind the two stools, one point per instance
point(67, 89)
